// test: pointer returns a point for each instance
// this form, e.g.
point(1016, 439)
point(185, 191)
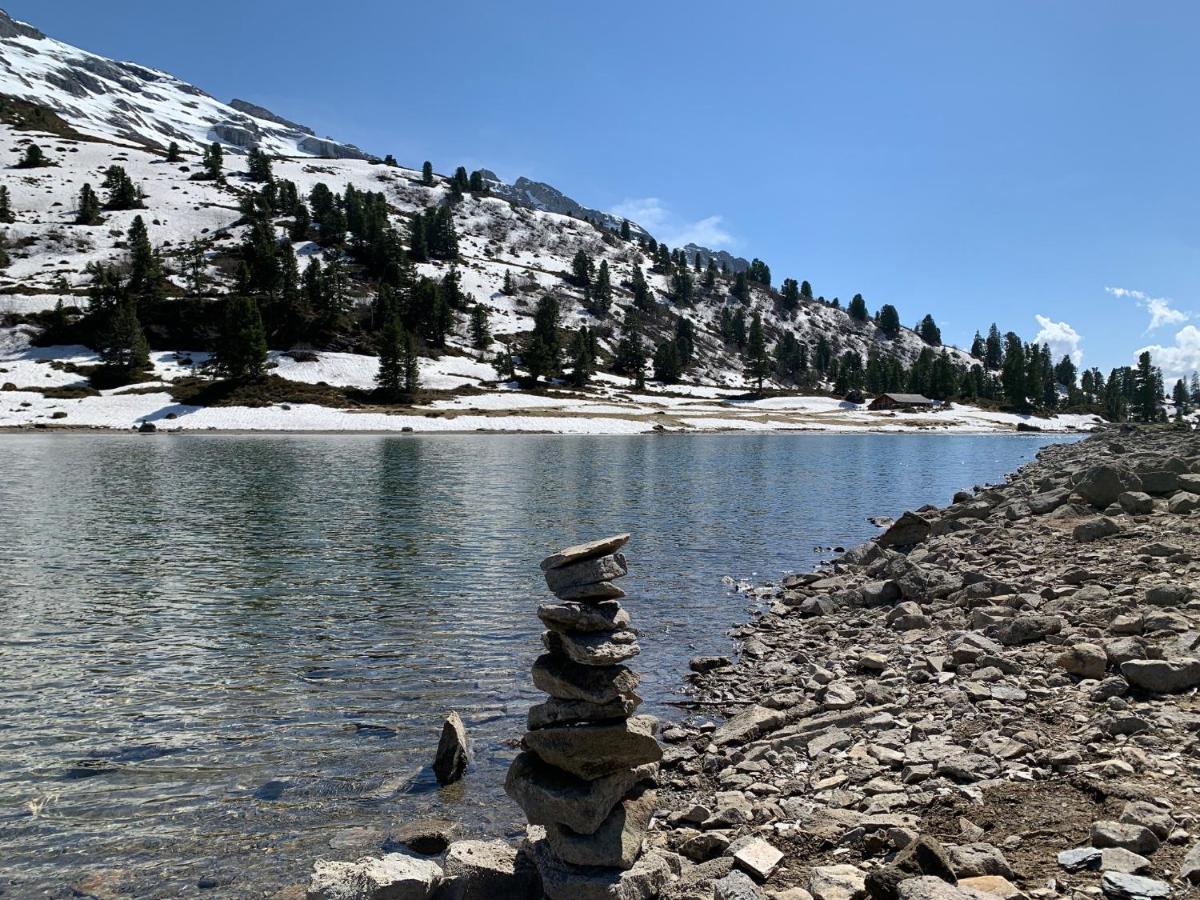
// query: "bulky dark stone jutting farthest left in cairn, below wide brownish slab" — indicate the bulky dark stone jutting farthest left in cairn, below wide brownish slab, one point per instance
point(550, 796)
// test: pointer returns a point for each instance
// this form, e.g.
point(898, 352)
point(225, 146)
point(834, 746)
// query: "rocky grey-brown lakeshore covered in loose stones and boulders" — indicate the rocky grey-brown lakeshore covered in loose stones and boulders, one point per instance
point(992, 700)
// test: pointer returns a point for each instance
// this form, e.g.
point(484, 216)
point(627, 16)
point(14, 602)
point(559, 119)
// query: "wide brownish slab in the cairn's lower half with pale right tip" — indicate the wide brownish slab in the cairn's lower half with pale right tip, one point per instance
point(592, 752)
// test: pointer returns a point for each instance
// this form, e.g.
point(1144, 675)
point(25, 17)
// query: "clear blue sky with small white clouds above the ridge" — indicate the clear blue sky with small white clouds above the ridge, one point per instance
point(980, 161)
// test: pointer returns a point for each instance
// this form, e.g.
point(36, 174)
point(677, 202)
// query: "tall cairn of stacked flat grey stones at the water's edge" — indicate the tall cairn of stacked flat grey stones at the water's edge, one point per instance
point(590, 765)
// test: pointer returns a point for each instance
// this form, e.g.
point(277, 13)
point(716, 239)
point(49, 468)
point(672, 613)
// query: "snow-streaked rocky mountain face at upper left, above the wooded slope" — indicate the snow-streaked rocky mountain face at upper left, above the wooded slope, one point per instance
point(135, 105)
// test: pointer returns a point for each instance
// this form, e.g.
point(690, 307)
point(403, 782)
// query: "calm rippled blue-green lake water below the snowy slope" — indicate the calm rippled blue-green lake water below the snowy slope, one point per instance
point(221, 652)
